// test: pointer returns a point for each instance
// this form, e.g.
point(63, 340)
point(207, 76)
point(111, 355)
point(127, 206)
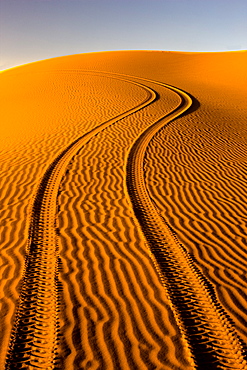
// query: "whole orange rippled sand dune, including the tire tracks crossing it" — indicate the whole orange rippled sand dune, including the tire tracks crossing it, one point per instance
point(123, 212)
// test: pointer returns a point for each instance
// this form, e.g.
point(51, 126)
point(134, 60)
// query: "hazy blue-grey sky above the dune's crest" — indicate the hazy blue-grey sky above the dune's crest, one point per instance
point(32, 30)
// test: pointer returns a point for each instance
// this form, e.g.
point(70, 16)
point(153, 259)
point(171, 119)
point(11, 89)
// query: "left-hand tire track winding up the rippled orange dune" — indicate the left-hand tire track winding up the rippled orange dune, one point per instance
point(34, 338)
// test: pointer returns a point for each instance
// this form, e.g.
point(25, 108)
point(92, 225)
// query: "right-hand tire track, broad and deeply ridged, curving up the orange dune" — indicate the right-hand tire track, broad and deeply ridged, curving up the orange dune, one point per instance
point(208, 329)
